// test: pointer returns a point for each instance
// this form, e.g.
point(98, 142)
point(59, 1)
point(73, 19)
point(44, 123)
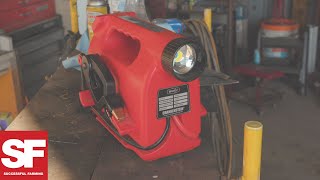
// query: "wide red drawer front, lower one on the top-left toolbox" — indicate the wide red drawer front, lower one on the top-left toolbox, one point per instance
point(17, 18)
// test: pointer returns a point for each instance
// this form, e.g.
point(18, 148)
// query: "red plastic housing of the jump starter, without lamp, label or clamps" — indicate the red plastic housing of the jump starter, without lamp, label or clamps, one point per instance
point(133, 54)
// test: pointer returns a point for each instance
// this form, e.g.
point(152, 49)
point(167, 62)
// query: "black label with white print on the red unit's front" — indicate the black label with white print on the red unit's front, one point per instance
point(173, 101)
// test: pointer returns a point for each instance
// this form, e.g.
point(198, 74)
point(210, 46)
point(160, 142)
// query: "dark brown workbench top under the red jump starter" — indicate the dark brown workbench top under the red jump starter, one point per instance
point(80, 149)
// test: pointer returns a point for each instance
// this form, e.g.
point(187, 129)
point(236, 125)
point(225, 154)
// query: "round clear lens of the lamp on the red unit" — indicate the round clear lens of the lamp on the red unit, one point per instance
point(184, 59)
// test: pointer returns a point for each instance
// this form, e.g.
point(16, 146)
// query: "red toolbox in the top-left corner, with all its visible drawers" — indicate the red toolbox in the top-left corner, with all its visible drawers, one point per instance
point(16, 14)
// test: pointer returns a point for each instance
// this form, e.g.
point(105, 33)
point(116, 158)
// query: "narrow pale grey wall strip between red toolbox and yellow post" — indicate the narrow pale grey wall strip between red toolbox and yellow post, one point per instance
point(62, 8)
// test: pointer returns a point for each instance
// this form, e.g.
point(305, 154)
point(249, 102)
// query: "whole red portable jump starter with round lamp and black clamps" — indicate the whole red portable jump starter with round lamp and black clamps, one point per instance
point(149, 113)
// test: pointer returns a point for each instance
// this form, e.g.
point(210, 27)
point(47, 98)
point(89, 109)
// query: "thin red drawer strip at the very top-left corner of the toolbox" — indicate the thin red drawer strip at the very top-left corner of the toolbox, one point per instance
point(6, 5)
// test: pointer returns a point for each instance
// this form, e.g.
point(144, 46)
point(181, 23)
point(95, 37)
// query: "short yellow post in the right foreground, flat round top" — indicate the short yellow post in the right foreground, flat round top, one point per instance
point(252, 150)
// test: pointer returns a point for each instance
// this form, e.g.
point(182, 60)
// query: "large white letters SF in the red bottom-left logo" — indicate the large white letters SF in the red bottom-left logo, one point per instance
point(22, 159)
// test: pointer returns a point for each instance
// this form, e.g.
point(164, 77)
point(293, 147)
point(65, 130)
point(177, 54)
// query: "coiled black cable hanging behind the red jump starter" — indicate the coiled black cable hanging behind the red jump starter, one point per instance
point(221, 126)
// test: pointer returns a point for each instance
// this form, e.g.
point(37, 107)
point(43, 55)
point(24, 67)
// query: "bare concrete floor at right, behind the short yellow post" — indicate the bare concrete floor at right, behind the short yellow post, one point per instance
point(291, 145)
